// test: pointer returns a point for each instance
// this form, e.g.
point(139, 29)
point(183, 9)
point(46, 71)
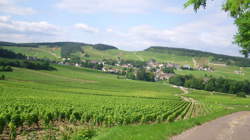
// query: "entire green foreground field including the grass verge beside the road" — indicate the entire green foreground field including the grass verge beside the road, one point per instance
point(115, 108)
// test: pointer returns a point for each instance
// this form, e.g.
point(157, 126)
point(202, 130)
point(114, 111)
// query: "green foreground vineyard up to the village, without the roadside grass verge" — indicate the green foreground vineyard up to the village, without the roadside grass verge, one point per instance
point(79, 103)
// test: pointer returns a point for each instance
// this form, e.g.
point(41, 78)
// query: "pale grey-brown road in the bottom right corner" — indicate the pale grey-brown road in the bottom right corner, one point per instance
point(231, 127)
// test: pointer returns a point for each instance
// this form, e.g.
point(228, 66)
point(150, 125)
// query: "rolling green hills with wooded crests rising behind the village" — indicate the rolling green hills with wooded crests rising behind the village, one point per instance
point(223, 65)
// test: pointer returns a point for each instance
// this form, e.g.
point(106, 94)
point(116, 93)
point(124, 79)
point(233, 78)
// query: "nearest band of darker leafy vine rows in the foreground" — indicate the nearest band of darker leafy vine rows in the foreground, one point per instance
point(16, 115)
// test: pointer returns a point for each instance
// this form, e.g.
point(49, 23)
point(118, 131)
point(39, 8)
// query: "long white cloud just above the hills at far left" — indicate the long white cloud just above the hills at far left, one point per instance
point(12, 30)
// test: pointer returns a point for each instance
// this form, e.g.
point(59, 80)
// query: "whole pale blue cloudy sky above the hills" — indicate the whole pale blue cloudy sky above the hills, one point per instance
point(127, 24)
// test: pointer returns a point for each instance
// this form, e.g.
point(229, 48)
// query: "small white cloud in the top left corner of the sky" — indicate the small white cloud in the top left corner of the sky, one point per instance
point(11, 7)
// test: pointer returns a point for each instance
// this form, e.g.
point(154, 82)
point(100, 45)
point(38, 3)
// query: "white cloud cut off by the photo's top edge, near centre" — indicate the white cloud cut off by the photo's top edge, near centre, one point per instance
point(116, 6)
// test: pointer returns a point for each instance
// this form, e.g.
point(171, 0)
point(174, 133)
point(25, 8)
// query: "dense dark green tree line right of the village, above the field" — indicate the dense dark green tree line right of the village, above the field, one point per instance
point(212, 84)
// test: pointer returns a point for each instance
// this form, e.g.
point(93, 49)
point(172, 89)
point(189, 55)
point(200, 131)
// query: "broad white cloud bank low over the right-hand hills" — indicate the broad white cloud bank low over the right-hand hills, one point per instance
point(209, 33)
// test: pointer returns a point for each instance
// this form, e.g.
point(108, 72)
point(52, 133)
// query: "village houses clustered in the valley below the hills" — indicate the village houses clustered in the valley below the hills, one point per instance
point(152, 66)
